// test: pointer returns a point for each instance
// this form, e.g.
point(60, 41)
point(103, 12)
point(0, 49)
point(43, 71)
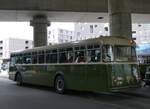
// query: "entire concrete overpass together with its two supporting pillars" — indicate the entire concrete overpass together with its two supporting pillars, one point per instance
point(42, 11)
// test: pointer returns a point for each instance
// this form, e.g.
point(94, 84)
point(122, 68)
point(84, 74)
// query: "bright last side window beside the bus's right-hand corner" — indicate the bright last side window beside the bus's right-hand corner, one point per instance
point(107, 54)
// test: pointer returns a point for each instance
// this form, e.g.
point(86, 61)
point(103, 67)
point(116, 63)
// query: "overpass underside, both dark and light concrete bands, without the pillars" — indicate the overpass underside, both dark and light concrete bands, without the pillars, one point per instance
point(68, 10)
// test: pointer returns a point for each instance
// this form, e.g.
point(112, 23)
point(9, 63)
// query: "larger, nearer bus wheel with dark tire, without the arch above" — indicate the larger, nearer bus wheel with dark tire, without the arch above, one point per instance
point(60, 84)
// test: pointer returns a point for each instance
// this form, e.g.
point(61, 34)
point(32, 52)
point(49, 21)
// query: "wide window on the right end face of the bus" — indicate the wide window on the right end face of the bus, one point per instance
point(125, 53)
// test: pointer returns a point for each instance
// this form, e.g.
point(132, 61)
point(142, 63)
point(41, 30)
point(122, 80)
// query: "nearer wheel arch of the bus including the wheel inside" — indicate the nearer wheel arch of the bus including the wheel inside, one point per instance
point(59, 83)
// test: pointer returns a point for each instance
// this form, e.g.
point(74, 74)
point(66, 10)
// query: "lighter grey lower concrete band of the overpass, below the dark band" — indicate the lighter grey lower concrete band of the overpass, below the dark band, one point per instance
point(67, 16)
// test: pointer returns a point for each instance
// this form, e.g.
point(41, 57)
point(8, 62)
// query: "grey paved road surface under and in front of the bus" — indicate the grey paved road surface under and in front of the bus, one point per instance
point(31, 97)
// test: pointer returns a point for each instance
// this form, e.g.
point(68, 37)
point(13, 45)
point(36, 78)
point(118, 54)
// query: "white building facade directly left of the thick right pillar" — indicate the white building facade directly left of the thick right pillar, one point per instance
point(90, 30)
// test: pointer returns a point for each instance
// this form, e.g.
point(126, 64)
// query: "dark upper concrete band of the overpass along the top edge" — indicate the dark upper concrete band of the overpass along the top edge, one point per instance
point(137, 6)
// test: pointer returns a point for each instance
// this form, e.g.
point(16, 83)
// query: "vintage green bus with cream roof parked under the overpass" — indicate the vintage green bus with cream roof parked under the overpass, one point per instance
point(99, 64)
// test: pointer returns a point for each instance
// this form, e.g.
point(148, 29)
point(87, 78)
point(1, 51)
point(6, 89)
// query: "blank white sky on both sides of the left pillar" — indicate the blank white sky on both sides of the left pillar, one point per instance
point(23, 30)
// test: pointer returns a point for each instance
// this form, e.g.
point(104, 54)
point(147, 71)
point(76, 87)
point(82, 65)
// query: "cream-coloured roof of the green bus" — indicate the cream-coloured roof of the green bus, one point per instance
point(111, 40)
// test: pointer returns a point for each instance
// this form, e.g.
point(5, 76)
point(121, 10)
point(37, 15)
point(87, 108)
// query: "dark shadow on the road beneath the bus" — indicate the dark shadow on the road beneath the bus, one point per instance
point(103, 96)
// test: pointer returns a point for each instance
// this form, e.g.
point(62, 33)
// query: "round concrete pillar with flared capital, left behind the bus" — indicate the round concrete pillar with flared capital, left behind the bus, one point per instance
point(40, 24)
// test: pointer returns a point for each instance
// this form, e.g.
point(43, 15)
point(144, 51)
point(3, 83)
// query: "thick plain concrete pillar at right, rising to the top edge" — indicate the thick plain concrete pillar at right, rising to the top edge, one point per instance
point(120, 18)
